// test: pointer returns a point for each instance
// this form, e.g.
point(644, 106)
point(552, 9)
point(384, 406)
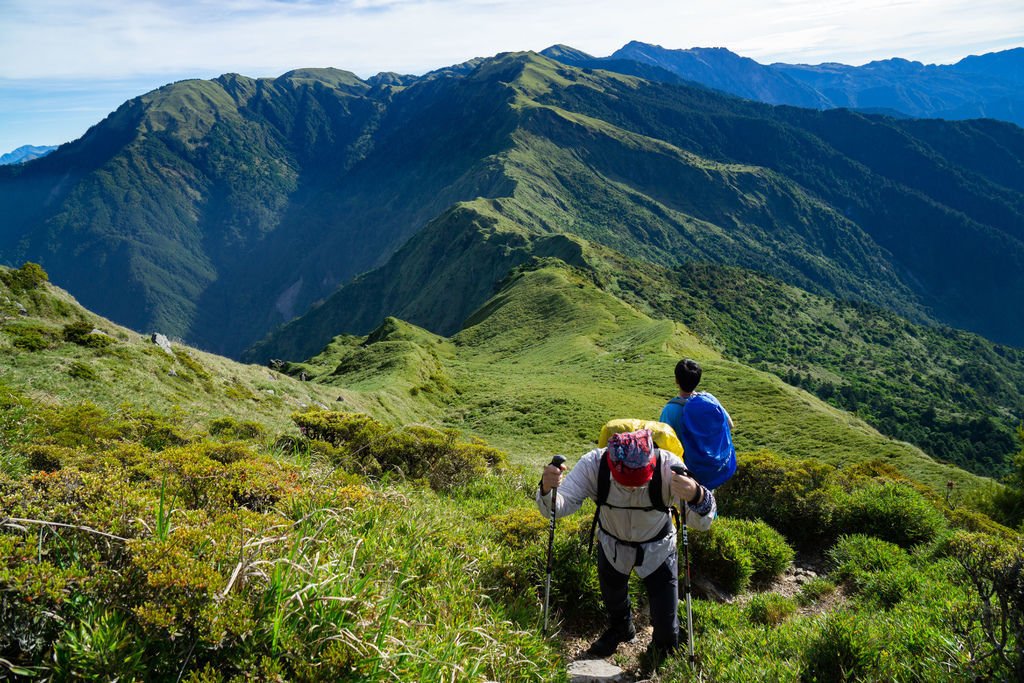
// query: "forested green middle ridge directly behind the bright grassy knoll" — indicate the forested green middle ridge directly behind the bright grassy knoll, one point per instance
point(953, 394)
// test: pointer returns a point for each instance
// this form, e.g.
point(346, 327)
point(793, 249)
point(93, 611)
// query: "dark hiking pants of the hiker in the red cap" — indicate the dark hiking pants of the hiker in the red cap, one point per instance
point(663, 594)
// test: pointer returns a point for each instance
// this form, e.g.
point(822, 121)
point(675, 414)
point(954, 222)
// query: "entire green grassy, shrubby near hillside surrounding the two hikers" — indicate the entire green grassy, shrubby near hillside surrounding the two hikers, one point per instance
point(267, 553)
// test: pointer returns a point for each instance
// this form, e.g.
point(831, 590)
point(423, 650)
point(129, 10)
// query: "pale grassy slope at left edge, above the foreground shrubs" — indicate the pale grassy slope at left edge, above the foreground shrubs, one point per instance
point(122, 367)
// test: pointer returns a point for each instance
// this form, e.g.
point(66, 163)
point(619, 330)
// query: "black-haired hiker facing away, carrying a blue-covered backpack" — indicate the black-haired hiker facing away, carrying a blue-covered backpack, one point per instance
point(704, 428)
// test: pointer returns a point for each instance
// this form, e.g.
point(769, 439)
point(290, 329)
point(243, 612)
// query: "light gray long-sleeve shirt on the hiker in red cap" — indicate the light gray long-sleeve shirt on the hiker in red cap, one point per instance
point(632, 526)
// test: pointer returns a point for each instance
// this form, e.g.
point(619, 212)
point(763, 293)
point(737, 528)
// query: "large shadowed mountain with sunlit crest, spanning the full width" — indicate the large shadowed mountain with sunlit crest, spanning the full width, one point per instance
point(219, 210)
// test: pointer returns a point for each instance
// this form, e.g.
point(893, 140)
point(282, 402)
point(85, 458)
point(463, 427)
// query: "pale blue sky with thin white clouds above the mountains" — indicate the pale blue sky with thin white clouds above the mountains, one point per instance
point(65, 65)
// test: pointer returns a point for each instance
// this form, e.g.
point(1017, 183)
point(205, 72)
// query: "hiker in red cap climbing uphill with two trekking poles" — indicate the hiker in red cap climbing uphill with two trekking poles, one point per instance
point(633, 483)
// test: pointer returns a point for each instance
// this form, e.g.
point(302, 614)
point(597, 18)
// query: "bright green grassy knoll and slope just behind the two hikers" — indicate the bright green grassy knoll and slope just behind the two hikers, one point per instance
point(546, 362)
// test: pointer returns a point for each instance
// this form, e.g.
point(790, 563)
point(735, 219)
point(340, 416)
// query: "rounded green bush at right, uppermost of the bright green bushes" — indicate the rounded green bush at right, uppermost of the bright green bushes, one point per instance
point(893, 513)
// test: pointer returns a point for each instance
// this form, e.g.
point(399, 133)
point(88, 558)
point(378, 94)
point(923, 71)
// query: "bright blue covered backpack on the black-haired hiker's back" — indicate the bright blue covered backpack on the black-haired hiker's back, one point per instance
point(708, 449)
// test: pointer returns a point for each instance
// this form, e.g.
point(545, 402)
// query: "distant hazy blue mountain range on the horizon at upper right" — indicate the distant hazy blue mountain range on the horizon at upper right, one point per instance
point(986, 87)
